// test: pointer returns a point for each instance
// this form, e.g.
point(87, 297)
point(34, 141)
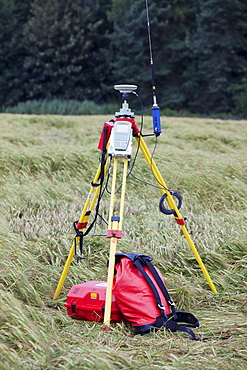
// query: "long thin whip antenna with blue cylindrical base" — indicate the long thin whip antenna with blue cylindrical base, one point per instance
point(155, 107)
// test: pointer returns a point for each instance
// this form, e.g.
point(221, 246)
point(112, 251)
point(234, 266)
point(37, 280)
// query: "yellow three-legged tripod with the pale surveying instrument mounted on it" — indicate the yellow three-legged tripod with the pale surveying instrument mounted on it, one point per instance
point(110, 144)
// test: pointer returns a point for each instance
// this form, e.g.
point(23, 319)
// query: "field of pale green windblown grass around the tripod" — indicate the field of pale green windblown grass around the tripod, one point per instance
point(47, 164)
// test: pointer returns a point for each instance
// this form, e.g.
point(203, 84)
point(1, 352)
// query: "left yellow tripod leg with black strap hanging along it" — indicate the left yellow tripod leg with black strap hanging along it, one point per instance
point(85, 214)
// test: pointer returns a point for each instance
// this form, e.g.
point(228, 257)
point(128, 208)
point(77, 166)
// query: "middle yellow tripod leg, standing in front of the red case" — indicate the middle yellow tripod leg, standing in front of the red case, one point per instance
point(115, 233)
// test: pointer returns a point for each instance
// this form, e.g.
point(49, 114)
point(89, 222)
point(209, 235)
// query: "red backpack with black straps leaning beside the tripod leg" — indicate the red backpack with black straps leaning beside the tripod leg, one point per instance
point(143, 299)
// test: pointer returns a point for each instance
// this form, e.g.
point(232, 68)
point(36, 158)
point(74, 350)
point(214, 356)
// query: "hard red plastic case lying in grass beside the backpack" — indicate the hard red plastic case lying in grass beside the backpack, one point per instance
point(86, 301)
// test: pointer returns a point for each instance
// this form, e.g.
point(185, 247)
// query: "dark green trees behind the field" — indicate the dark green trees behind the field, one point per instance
point(79, 49)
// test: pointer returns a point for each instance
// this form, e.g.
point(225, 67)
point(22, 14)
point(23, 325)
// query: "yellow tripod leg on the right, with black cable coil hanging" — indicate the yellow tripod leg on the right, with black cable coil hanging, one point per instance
point(172, 205)
